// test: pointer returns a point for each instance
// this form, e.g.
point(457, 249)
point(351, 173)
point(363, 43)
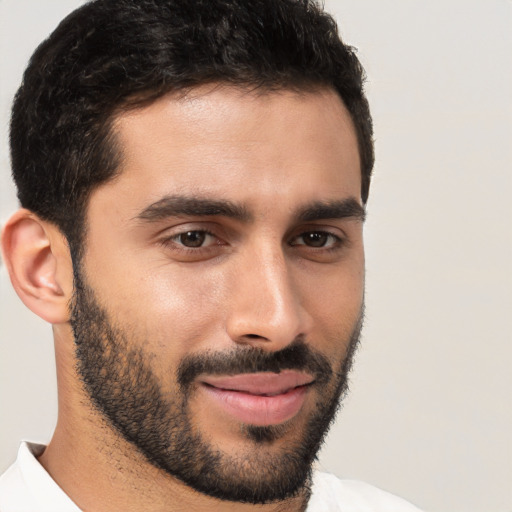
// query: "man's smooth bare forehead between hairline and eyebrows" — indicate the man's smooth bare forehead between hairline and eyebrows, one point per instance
point(243, 146)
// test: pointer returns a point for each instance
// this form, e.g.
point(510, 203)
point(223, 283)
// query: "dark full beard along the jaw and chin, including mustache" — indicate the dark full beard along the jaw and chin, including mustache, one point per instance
point(122, 385)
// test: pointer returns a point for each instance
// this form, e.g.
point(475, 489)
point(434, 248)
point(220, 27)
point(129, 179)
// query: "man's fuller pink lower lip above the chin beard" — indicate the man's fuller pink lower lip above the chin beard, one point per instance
point(256, 409)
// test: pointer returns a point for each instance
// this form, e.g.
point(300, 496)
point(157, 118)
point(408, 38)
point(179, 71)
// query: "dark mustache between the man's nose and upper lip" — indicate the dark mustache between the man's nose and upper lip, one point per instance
point(298, 355)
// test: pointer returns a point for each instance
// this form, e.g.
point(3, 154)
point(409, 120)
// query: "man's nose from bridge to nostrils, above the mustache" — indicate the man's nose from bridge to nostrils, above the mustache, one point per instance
point(266, 308)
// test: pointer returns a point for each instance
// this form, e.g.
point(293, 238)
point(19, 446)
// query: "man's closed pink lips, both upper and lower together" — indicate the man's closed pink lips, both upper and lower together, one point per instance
point(259, 398)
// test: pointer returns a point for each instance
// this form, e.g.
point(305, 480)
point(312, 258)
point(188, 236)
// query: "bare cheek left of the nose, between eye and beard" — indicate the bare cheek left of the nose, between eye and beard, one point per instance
point(172, 309)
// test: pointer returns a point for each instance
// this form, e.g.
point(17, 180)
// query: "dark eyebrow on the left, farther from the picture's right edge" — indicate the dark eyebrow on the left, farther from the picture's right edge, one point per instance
point(176, 206)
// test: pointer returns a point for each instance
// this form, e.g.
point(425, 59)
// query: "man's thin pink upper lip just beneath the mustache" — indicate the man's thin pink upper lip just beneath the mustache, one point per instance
point(264, 383)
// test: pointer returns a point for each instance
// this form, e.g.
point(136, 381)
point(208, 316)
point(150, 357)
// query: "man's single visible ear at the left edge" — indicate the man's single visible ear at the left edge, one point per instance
point(38, 260)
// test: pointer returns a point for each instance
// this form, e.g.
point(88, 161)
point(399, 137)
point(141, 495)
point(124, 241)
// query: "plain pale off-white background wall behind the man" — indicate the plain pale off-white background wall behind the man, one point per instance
point(429, 416)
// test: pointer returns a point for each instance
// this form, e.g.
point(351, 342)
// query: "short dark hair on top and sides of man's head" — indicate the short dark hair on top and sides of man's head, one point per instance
point(112, 54)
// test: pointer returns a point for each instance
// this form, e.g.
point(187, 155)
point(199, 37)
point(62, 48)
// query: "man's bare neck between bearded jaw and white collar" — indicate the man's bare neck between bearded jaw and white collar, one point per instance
point(103, 473)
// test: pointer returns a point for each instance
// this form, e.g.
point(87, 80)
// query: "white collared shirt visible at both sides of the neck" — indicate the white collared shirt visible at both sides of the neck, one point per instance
point(27, 487)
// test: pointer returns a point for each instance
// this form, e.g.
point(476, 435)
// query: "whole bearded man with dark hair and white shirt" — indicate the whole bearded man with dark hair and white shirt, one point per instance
point(193, 179)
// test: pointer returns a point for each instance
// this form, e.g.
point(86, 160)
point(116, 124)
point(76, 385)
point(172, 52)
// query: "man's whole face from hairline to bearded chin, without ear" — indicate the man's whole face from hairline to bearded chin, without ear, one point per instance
point(220, 295)
